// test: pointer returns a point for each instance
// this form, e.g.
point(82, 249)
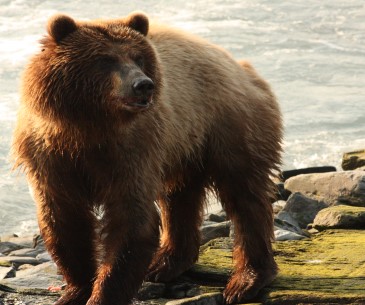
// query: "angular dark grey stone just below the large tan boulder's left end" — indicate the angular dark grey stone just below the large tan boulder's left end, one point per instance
point(302, 209)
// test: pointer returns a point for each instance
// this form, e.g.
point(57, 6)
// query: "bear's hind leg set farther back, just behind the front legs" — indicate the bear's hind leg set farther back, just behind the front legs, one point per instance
point(181, 217)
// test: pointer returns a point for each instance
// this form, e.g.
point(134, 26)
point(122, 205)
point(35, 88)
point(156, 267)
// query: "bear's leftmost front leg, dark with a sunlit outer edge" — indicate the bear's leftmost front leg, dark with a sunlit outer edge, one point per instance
point(67, 227)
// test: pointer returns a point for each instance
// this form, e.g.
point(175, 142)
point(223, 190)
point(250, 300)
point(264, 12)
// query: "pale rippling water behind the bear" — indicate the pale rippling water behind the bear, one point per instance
point(312, 52)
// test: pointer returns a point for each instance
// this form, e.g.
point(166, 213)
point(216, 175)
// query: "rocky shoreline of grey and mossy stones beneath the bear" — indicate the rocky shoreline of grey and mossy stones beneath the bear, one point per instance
point(320, 245)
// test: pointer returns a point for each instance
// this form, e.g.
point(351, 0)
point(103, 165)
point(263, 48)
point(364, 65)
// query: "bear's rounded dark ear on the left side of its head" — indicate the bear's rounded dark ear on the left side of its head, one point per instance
point(60, 26)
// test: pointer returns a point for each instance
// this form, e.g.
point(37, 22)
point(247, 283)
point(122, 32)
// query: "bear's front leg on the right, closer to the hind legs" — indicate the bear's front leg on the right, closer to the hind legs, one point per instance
point(131, 237)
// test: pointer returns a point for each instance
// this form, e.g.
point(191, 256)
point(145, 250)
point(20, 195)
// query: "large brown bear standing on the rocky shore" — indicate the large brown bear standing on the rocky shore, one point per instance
point(117, 115)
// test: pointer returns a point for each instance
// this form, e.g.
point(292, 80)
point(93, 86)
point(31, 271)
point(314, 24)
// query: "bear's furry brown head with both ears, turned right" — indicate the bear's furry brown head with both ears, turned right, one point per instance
point(93, 71)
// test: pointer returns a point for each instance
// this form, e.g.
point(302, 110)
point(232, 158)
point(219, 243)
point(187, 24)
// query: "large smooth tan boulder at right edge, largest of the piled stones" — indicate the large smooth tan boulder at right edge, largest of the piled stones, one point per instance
point(331, 188)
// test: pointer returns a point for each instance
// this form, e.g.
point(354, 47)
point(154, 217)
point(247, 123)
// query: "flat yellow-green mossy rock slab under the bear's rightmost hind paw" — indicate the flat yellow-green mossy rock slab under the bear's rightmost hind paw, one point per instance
point(327, 269)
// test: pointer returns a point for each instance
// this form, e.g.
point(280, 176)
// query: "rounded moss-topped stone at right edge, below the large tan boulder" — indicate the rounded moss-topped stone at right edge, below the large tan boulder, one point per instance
point(340, 217)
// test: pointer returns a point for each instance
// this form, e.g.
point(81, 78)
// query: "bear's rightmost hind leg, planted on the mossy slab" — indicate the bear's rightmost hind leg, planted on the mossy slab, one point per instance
point(247, 202)
